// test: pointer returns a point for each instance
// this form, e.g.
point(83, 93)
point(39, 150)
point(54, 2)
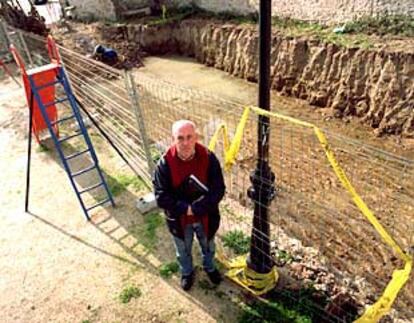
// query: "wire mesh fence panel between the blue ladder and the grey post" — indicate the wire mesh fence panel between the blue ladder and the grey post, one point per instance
point(102, 90)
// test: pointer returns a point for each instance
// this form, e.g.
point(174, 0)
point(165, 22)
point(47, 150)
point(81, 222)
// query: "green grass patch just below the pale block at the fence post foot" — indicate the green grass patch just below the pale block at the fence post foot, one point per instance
point(146, 233)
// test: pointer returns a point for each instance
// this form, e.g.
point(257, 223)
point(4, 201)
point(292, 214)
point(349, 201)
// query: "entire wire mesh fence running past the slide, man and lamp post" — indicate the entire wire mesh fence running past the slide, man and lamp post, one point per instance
point(318, 235)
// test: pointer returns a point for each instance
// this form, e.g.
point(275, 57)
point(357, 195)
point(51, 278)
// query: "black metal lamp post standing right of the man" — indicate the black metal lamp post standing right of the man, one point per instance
point(262, 178)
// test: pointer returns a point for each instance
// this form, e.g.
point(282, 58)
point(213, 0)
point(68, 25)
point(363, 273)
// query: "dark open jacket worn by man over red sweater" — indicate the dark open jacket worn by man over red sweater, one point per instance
point(174, 206)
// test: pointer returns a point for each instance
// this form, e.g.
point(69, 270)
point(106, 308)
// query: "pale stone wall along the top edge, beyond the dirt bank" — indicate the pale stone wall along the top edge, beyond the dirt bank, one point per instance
point(325, 11)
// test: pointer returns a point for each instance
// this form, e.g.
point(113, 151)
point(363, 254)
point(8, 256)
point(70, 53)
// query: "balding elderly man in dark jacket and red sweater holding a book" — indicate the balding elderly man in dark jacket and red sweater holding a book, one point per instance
point(189, 185)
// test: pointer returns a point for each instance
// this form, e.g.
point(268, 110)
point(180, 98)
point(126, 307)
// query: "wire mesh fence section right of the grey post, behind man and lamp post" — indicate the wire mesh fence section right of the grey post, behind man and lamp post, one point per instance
point(312, 208)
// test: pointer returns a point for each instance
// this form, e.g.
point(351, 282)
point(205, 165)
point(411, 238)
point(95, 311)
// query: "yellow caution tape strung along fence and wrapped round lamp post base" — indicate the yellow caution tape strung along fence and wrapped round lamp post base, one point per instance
point(238, 269)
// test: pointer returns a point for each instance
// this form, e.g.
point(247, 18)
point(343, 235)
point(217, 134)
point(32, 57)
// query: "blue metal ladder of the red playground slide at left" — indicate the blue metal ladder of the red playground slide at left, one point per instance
point(62, 79)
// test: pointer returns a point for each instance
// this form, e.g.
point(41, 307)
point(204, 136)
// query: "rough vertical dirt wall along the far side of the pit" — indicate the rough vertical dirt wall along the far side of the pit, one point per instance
point(375, 85)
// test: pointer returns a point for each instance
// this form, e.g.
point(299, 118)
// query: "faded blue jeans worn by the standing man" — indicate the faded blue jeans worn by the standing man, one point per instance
point(184, 247)
